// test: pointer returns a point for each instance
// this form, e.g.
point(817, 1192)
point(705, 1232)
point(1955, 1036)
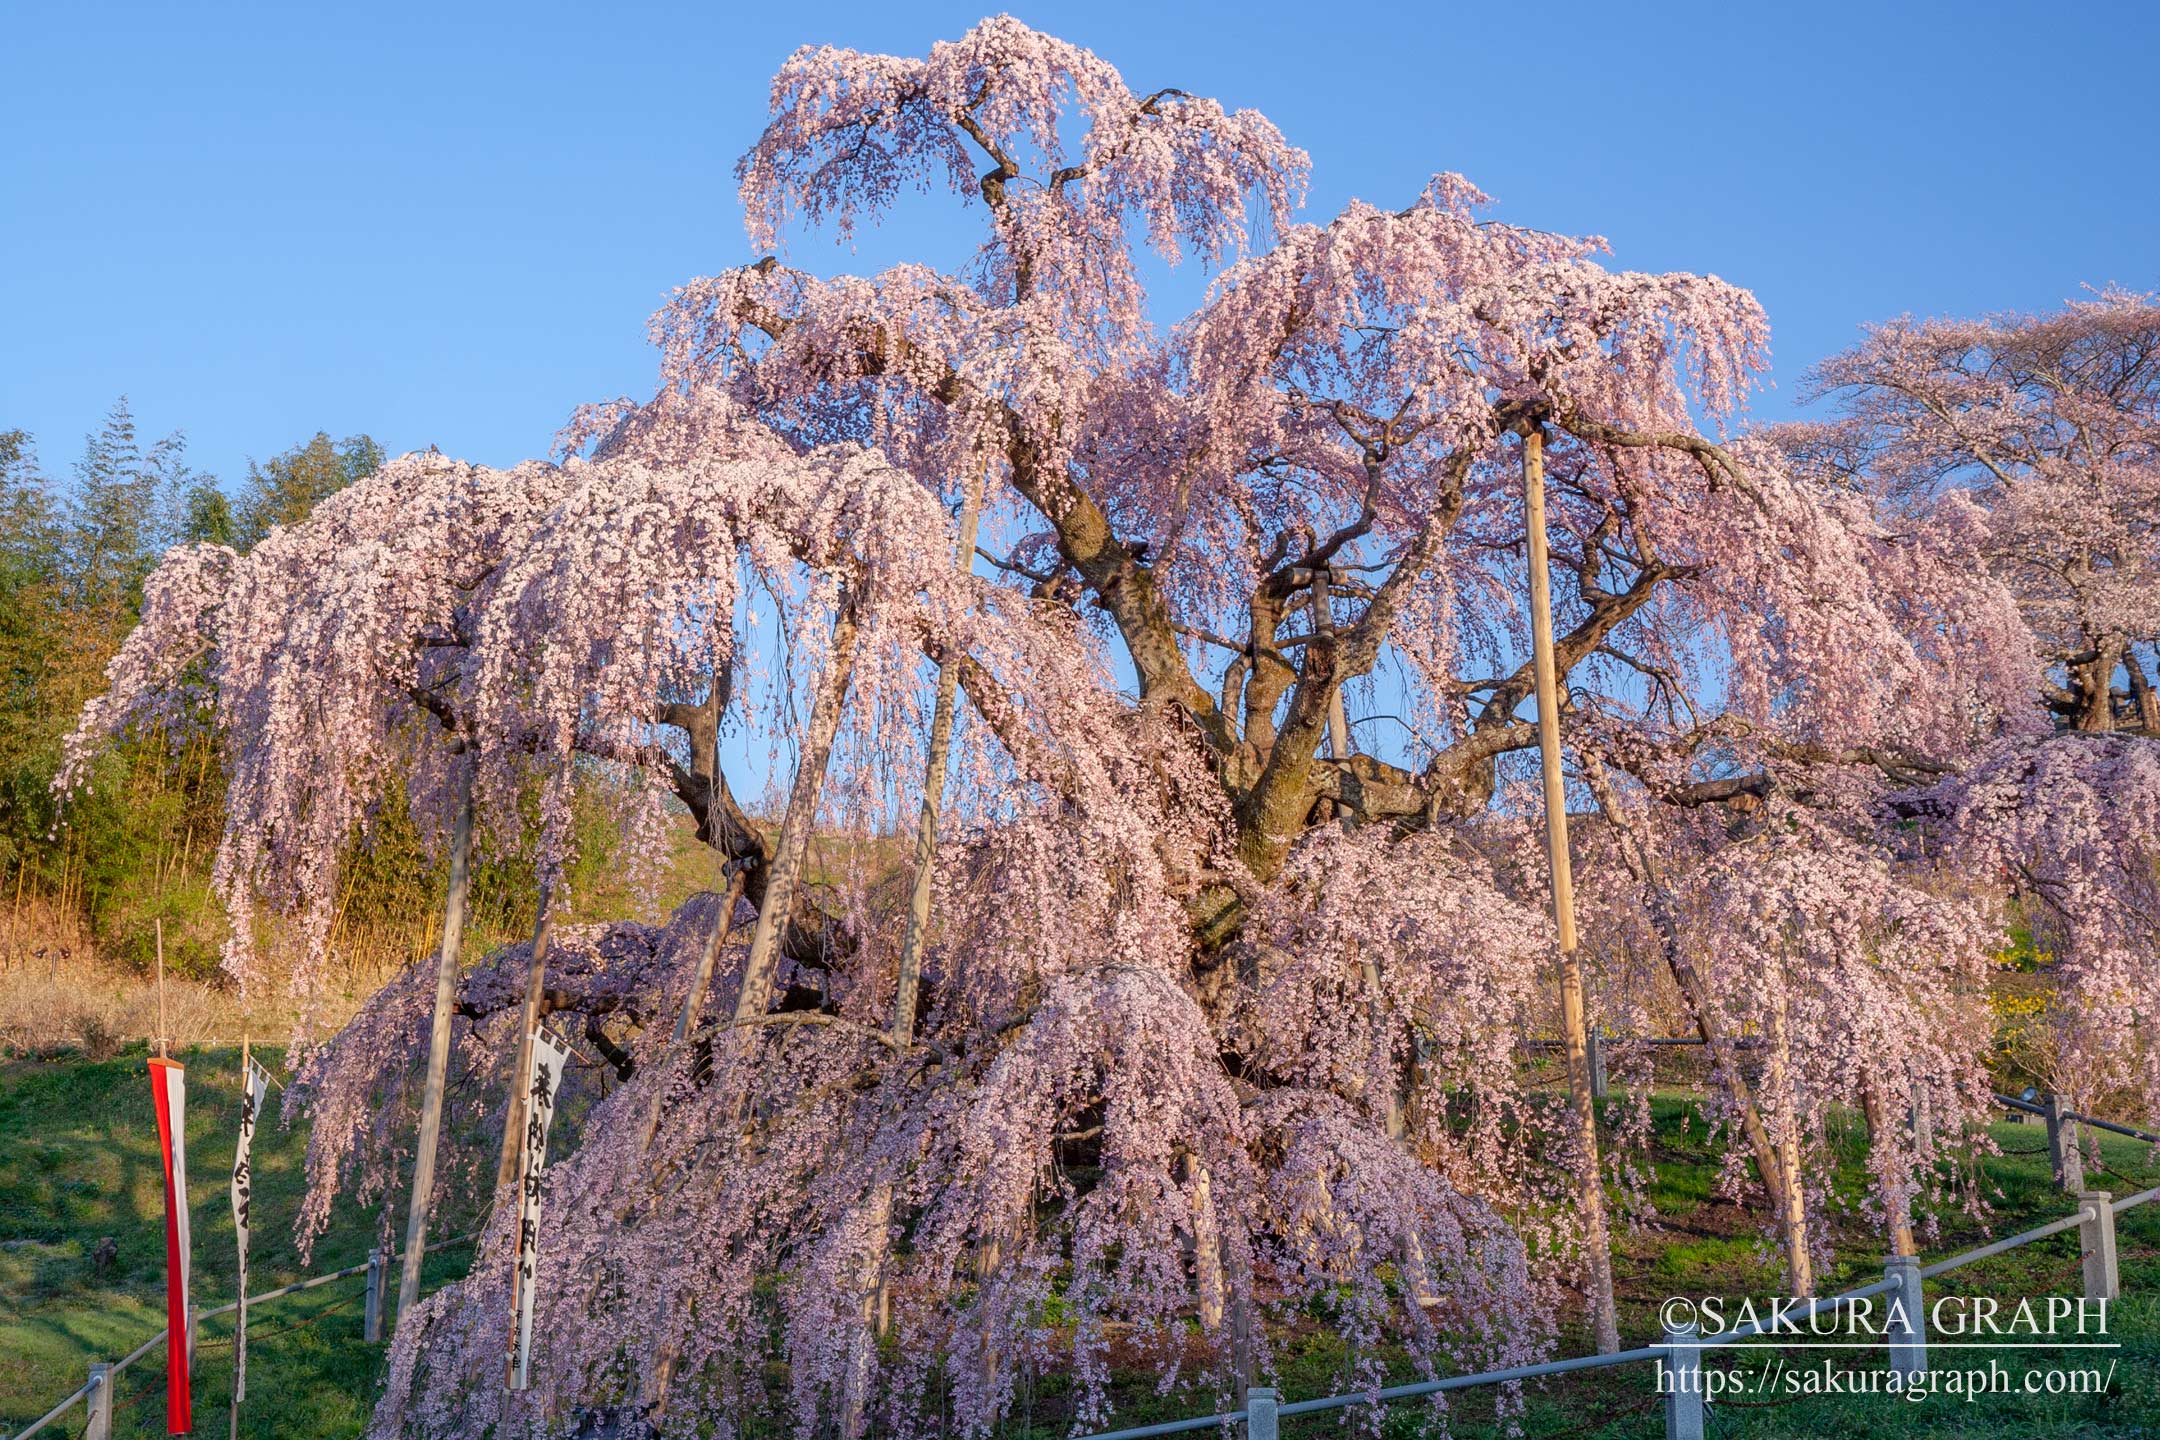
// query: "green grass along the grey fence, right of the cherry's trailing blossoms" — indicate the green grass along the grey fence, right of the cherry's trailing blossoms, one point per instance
point(1705, 1247)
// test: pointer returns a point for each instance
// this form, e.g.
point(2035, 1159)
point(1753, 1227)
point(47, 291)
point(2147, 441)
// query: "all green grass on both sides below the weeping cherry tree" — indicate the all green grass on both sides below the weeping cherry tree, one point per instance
point(79, 1163)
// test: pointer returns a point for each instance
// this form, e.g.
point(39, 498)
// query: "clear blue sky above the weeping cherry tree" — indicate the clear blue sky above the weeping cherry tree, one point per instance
point(448, 226)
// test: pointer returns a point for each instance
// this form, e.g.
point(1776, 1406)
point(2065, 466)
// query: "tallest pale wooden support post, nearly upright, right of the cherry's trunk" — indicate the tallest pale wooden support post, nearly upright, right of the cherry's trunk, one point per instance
point(1591, 1180)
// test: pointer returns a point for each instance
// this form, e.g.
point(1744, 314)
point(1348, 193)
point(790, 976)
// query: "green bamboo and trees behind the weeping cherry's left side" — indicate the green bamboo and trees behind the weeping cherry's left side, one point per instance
point(75, 552)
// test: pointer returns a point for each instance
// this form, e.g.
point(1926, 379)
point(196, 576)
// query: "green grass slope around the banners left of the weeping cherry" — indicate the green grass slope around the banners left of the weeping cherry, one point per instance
point(79, 1163)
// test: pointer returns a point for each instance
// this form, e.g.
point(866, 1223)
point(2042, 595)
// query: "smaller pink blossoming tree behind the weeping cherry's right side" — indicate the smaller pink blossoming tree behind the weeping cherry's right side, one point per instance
point(2031, 446)
